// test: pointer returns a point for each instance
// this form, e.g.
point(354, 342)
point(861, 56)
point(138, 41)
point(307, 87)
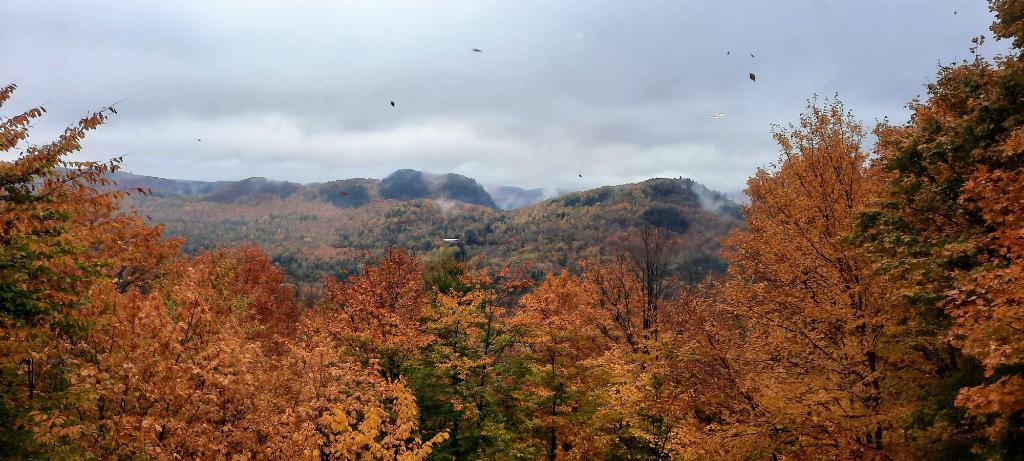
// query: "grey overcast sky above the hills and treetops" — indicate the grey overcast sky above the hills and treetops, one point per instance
point(618, 92)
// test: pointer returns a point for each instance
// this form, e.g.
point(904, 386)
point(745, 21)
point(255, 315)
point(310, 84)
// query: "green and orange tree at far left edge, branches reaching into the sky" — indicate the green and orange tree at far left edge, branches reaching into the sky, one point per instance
point(60, 236)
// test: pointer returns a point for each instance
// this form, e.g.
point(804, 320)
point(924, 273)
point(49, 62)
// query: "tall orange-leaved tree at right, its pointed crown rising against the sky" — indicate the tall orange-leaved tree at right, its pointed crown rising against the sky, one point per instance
point(822, 341)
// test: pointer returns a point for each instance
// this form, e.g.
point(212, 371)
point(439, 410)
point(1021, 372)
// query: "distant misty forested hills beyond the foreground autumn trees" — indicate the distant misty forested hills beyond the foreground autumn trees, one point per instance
point(329, 229)
